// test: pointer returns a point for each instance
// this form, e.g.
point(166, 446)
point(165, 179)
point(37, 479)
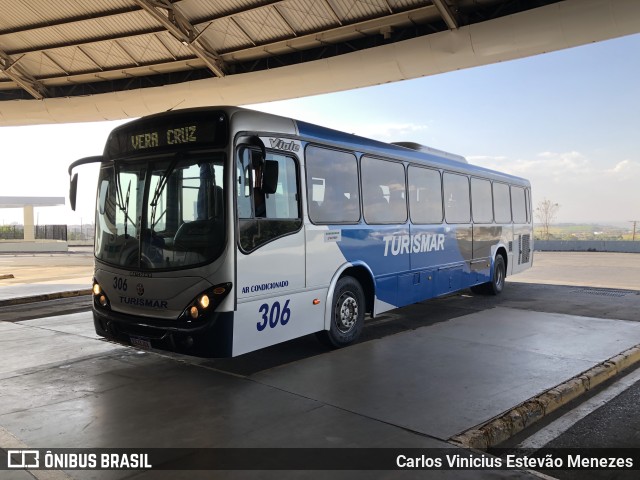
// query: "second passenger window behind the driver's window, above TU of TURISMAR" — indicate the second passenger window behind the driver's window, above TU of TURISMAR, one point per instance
point(383, 191)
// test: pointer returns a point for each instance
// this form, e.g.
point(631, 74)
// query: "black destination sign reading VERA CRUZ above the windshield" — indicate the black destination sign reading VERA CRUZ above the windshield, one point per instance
point(167, 131)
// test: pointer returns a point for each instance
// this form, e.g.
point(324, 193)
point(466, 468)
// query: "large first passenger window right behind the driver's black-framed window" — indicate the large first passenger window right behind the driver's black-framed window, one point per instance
point(332, 186)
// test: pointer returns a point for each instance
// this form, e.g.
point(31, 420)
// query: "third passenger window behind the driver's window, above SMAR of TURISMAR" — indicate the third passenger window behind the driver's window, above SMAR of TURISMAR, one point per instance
point(425, 195)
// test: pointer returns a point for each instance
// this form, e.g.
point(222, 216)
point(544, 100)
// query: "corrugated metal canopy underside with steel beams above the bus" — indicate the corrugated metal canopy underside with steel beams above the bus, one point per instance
point(46, 44)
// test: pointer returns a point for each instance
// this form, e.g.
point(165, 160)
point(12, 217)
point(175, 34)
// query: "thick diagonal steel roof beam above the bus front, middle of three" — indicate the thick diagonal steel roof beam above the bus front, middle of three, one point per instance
point(181, 28)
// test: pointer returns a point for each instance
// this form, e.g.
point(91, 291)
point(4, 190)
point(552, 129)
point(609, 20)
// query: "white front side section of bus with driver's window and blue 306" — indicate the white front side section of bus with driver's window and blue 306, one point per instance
point(272, 304)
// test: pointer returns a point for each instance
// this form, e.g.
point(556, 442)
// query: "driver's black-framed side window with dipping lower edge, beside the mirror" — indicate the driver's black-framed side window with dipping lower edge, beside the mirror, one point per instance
point(267, 198)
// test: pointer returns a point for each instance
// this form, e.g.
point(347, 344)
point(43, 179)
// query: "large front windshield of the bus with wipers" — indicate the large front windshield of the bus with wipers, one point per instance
point(161, 213)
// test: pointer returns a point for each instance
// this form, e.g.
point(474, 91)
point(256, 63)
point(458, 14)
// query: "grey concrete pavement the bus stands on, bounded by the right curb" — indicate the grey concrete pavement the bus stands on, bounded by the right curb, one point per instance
point(61, 386)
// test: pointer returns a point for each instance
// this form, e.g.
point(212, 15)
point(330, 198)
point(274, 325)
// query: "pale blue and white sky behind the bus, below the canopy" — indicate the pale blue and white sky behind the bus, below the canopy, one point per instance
point(569, 121)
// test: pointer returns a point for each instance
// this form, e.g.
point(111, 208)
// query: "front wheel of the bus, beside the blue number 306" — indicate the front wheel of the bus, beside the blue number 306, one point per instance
point(347, 314)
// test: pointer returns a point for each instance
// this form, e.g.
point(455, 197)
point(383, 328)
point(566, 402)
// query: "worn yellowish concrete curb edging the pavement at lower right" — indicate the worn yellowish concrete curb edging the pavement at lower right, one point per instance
point(505, 426)
